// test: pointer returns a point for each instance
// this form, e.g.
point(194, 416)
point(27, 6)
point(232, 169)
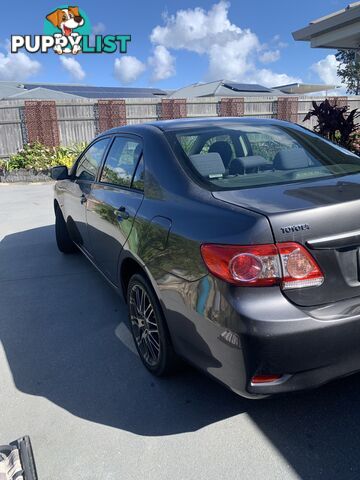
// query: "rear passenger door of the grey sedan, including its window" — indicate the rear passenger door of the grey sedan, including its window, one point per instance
point(114, 201)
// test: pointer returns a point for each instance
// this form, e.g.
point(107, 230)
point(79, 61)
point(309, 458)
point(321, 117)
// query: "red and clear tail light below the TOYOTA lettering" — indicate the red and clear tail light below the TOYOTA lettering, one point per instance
point(287, 264)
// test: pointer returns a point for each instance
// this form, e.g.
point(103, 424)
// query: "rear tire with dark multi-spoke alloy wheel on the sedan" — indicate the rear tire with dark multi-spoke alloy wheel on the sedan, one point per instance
point(149, 328)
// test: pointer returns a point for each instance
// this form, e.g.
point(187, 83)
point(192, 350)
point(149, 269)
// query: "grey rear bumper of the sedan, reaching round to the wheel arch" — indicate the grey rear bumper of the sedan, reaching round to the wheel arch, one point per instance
point(242, 332)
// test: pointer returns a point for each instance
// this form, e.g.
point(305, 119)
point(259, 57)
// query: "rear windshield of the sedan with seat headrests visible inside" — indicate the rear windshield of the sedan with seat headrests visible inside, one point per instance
point(244, 155)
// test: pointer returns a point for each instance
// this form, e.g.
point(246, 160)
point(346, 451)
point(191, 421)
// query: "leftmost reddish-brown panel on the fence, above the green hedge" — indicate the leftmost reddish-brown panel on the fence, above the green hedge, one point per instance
point(41, 122)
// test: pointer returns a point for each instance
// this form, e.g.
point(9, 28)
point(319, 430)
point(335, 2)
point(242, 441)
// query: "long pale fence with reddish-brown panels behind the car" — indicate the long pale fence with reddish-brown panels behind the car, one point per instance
point(69, 122)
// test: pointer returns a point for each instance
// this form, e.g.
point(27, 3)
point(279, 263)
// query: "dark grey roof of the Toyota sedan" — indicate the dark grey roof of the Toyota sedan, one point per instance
point(184, 123)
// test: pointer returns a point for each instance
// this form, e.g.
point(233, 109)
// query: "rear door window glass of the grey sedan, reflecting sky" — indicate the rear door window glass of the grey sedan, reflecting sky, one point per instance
point(121, 161)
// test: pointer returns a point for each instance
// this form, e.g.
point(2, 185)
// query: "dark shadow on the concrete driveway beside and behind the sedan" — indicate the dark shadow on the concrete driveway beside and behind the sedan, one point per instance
point(65, 336)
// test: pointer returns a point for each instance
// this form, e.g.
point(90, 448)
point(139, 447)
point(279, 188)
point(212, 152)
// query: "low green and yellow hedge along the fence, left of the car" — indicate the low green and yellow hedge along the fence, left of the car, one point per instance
point(38, 157)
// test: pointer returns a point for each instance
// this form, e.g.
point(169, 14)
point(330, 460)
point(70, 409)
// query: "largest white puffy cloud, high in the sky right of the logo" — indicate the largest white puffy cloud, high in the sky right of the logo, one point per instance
point(233, 52)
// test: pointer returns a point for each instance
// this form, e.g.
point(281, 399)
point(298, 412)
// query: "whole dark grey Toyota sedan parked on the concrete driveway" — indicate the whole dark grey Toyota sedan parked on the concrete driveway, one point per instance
point(235, 242)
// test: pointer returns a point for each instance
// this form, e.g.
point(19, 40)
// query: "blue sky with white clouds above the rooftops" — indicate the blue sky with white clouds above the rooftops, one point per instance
point(177, 43)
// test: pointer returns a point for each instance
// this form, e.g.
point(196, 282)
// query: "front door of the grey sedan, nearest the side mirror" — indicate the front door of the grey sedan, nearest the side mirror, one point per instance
point(83, 176)
